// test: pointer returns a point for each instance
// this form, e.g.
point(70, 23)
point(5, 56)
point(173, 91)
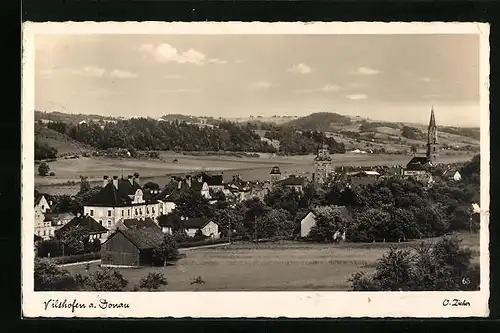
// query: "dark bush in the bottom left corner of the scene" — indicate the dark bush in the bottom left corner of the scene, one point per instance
point(50, 277)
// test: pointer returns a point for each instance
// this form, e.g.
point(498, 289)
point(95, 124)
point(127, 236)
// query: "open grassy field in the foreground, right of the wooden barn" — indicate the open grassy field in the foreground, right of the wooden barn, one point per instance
point(286, 266)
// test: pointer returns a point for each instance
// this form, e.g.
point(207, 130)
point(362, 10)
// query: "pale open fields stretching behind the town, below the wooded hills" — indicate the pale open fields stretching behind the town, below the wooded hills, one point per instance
point(159, 171)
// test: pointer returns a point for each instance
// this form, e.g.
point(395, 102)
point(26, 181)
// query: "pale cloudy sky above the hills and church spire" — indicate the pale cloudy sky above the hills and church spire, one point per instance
point(383, 77)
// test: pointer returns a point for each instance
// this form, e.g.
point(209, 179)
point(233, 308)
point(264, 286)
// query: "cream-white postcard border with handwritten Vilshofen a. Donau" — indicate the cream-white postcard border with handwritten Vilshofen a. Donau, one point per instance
point(247, 304)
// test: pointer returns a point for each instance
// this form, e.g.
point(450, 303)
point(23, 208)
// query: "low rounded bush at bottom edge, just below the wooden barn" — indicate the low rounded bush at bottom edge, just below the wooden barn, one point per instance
point(104, 279)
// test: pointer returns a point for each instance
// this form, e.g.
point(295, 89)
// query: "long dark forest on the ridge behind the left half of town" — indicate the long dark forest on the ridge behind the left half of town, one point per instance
point(149, 134)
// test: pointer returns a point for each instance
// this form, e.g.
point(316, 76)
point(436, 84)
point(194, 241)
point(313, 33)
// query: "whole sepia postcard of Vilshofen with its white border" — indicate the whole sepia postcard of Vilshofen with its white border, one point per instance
point(228, 169)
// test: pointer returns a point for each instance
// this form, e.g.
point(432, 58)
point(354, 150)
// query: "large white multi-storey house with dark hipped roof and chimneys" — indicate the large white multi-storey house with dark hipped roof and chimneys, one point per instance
point(121, 199)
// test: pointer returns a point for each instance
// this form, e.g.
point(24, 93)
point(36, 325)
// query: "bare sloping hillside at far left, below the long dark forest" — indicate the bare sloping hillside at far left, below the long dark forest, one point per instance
point(64, 144)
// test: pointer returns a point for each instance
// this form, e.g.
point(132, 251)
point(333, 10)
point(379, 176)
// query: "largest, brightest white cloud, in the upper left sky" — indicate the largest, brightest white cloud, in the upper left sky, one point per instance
point(166, 53)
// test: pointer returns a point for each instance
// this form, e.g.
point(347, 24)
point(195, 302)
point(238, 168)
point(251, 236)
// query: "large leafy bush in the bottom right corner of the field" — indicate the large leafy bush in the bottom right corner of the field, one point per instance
point(439, 267)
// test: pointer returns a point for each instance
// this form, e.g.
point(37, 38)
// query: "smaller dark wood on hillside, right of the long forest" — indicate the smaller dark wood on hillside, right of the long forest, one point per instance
point(305, 142)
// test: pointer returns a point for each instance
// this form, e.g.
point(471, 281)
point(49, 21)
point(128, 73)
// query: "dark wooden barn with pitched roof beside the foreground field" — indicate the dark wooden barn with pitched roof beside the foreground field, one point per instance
point(130, 247)
